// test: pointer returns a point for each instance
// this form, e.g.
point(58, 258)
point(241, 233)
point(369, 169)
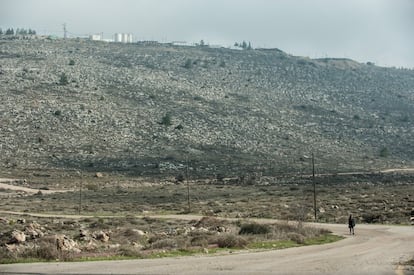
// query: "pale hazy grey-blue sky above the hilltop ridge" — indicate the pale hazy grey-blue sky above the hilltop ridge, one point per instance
point(380, 31)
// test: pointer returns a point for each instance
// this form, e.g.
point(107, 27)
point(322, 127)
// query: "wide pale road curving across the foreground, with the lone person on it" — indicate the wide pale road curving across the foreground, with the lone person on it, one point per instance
point(375, 249)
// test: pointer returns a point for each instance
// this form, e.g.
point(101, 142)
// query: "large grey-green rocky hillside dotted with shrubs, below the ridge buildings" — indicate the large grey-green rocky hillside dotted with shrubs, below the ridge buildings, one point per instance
point(145, 109)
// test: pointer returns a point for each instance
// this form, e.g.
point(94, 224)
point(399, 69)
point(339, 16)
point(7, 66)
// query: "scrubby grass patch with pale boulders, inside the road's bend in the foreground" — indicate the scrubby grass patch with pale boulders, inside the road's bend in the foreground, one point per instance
point(151, 237)
